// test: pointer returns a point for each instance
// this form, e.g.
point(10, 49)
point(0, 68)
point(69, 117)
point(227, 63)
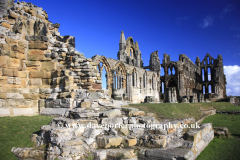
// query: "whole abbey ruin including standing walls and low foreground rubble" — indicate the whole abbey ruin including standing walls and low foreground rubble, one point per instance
point(42, 73)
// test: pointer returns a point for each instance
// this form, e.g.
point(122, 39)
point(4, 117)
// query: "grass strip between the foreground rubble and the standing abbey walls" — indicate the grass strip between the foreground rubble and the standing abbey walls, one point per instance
point(180, 110)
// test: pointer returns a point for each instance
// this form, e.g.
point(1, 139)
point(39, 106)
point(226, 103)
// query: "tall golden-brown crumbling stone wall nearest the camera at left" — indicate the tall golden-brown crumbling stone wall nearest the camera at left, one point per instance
point(36, 62)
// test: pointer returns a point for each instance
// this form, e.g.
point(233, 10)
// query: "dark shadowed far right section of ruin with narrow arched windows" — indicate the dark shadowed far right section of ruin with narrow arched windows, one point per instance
point(185, 81)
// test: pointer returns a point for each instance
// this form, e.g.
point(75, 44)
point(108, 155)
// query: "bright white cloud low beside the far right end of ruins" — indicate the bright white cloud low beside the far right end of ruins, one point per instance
point(233, 80)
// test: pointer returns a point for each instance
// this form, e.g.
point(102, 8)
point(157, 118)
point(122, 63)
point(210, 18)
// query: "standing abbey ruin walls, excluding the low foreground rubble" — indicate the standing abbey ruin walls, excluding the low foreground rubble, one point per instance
point(40, 69)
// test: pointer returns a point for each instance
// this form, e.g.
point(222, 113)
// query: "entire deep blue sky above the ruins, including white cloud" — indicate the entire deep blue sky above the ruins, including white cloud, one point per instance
point(191, 27)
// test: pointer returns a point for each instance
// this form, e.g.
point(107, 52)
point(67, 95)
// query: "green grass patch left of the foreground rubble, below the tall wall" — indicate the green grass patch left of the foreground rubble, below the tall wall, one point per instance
point(16, 132)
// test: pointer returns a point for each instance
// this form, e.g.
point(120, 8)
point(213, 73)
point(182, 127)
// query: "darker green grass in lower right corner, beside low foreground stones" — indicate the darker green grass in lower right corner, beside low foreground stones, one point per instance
point(223, 149)
